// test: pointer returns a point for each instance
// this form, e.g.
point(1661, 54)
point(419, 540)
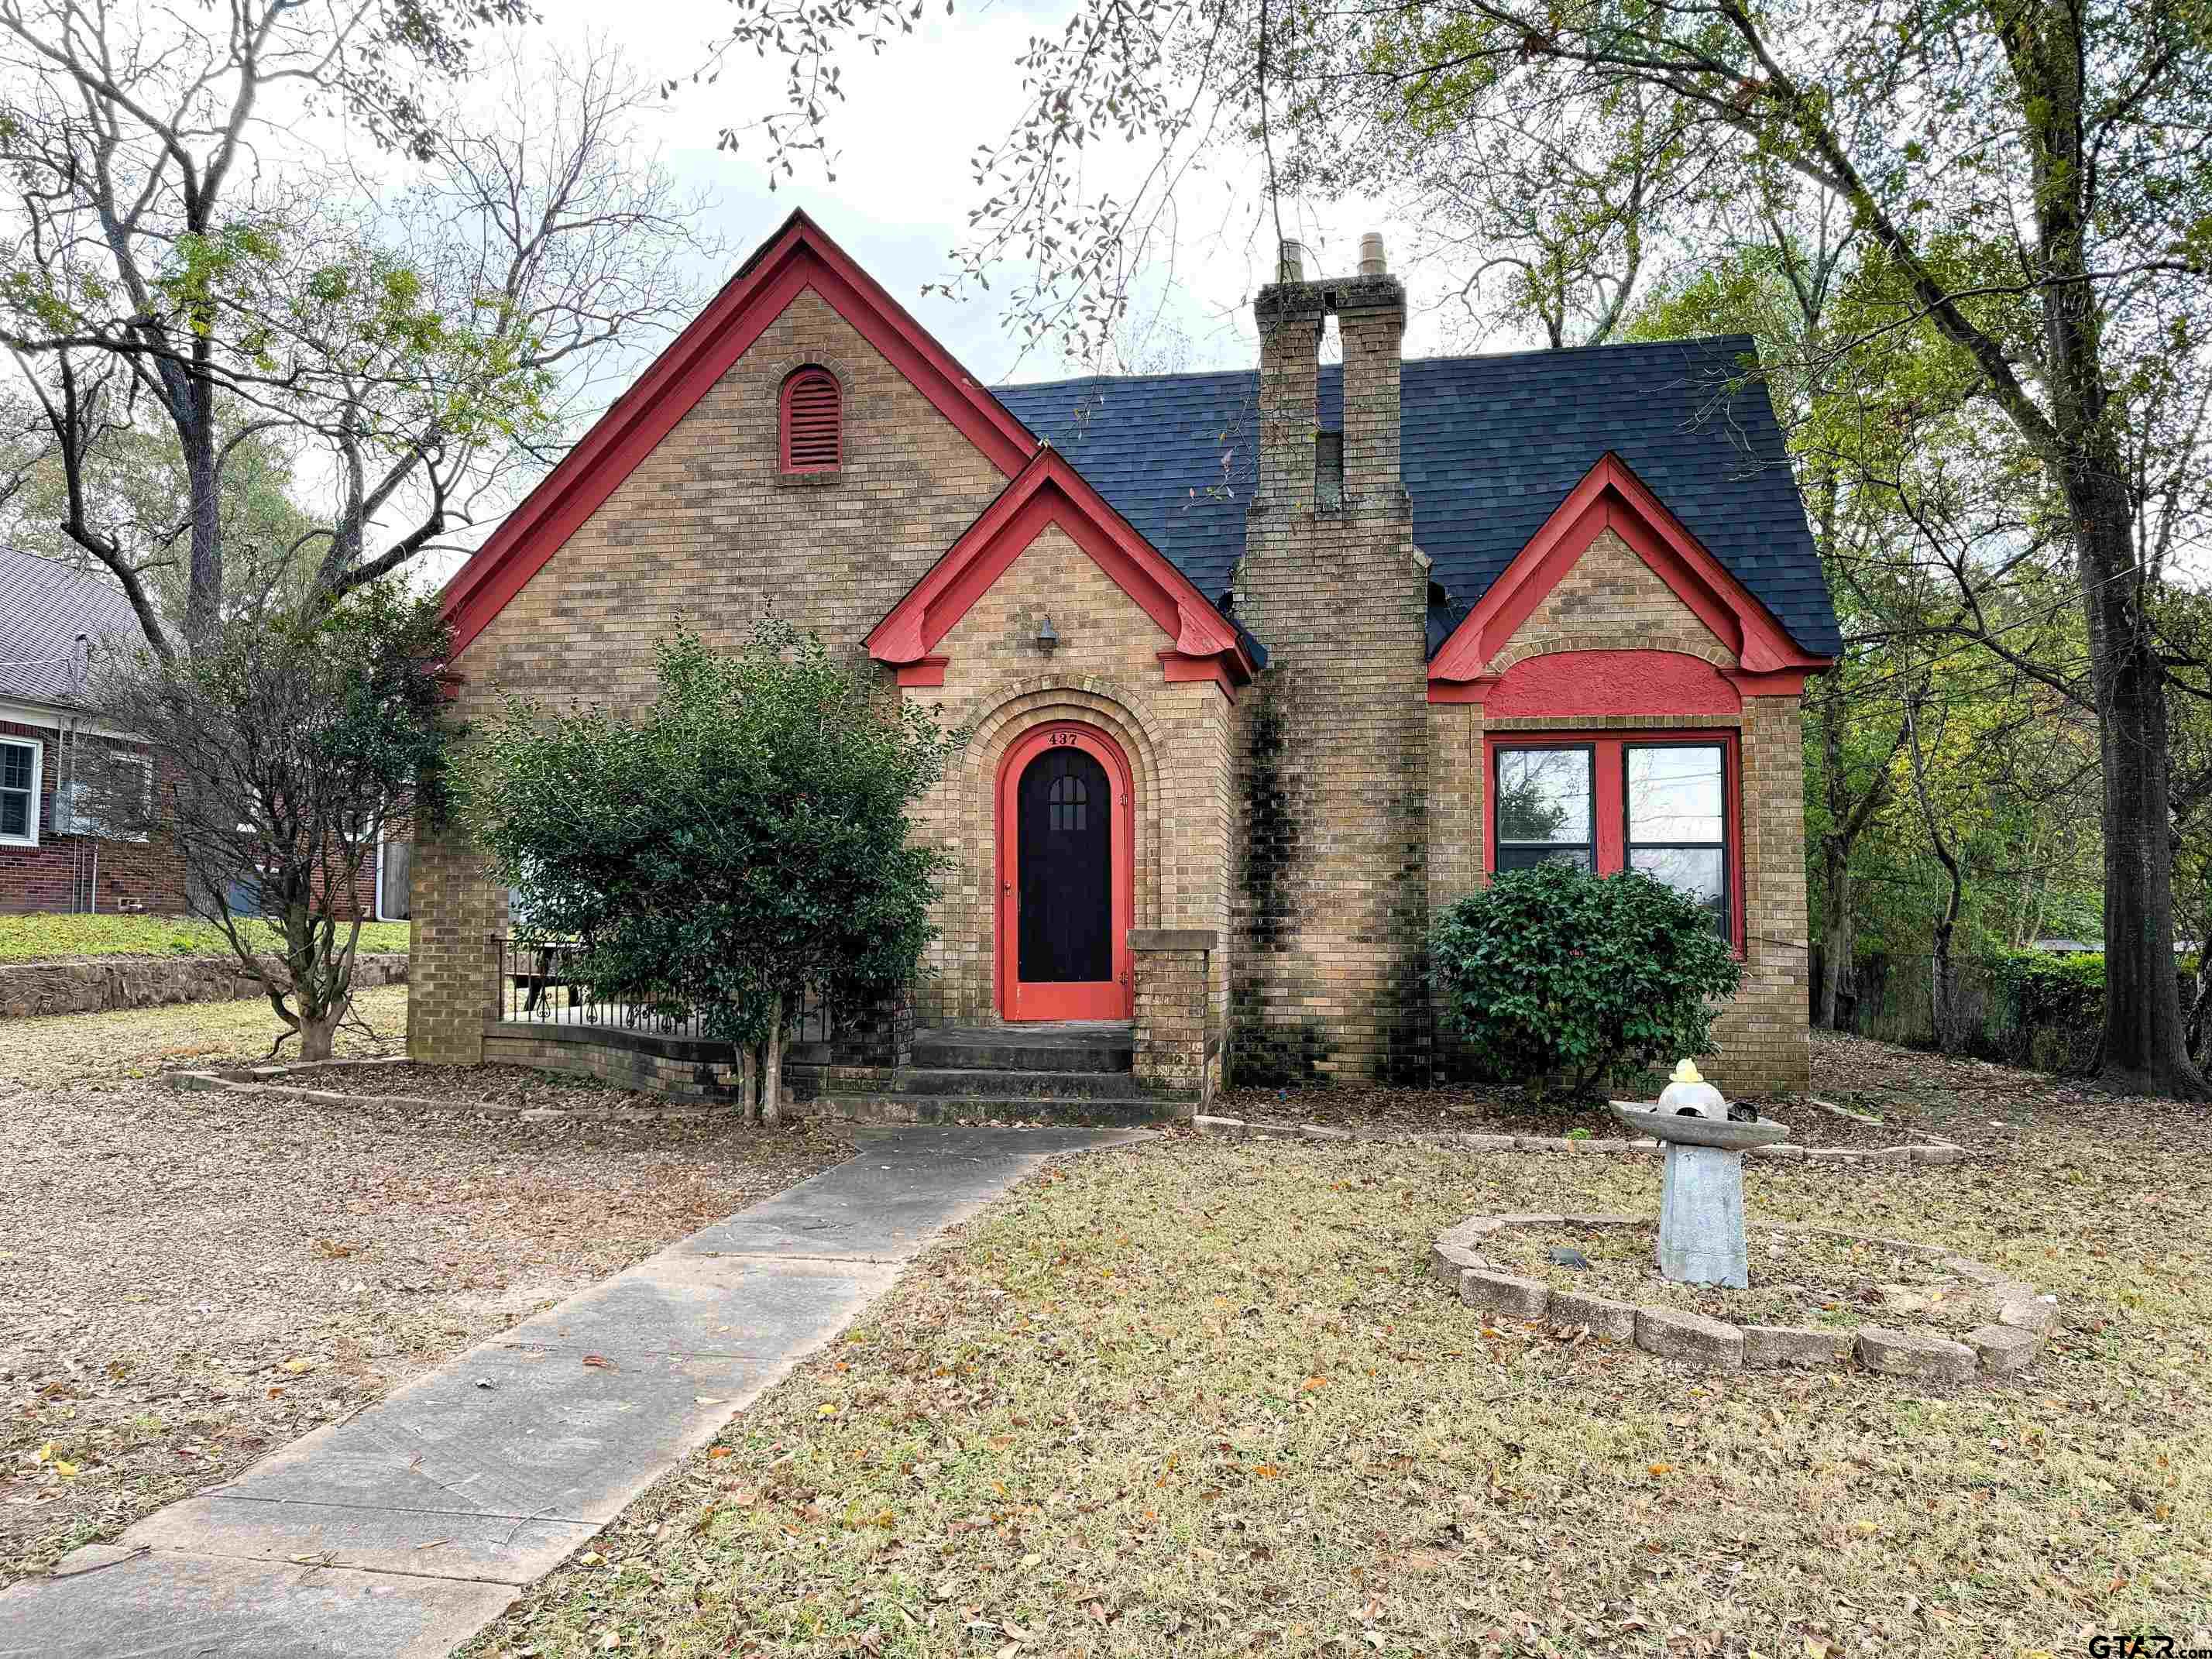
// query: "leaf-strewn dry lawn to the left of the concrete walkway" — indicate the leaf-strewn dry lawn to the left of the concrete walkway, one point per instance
point(189, 1282)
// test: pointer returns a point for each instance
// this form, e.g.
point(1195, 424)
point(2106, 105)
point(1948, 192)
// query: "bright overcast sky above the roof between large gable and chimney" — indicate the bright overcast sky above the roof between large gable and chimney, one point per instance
point(904, 189)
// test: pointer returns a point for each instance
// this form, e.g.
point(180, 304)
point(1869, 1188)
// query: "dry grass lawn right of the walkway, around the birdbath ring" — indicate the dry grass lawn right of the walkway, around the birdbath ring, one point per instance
point(1202, 1399)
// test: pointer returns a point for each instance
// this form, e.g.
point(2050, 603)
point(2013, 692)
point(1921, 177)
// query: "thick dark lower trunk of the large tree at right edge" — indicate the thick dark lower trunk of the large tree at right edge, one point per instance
point(2145, 1041)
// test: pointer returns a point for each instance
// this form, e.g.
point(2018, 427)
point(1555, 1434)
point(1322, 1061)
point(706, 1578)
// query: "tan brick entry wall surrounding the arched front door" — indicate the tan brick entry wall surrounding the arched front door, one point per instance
point(1105, 674)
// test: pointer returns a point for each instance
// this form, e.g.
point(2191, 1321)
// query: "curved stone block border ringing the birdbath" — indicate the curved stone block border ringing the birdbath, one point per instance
point(2018, 1317)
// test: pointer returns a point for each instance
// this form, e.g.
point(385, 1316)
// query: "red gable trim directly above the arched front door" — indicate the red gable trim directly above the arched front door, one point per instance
point(1052, 492)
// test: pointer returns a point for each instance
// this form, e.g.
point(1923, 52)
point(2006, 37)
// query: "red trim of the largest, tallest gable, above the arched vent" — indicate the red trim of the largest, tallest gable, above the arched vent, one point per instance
point(784, 267)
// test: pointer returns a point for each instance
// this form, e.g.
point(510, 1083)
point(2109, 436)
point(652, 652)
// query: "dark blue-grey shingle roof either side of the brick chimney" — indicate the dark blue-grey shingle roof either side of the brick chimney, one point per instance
point(1492, 446)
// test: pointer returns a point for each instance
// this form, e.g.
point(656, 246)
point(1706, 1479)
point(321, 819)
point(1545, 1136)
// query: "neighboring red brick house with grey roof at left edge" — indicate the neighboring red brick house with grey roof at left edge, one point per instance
point(52, 853)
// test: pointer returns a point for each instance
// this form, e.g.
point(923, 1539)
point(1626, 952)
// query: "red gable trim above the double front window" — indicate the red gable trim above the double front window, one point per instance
point(1611, 497)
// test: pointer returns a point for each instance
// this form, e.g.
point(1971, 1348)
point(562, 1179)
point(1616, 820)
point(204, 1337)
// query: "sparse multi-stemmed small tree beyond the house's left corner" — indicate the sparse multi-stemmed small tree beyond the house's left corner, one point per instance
point(282, 751)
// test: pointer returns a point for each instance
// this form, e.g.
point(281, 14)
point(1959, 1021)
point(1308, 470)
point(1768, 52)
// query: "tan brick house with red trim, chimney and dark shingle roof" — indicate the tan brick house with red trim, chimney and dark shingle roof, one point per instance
point(1262, 669)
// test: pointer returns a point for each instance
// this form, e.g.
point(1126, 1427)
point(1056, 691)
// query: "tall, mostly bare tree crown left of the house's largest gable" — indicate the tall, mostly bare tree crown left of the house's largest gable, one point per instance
point(178, 269)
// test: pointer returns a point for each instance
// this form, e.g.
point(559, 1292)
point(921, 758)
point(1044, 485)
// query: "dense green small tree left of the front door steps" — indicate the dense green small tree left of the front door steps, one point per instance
point(740, 846)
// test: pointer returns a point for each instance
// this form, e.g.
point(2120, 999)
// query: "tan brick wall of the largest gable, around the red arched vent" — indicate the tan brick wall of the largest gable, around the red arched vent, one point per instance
point(711, 532)
